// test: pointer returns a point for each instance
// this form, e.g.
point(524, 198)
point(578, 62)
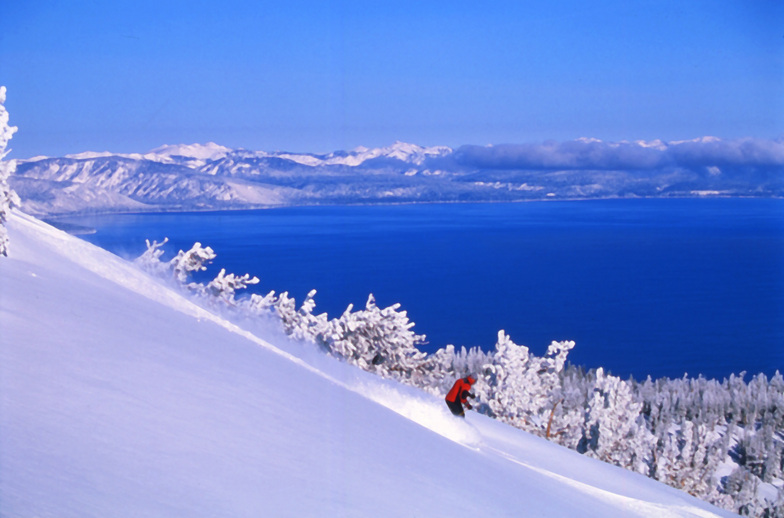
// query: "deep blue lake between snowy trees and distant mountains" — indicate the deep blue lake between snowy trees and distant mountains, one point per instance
point(645, 287)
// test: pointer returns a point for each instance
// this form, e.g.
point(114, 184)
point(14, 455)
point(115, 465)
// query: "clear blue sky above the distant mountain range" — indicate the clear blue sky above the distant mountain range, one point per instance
point(128, 76)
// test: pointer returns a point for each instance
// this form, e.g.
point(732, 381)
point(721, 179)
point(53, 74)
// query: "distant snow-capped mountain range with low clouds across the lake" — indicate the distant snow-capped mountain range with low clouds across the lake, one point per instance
point(214, 177)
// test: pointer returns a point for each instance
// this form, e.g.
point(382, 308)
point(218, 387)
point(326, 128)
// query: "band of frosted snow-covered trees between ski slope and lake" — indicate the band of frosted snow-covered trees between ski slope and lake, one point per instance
point(720, 441)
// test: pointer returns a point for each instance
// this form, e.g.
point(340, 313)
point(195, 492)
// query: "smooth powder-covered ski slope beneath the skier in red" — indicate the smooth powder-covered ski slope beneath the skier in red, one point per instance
point(118, 397)
